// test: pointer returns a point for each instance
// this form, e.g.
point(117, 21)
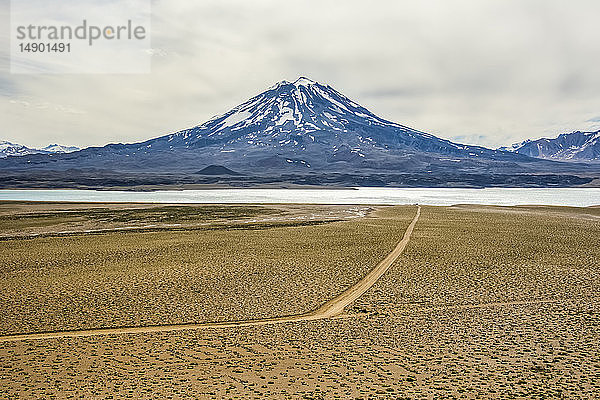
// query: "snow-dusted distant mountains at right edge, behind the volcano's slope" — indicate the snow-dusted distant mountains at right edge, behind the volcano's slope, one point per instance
point(575, 146)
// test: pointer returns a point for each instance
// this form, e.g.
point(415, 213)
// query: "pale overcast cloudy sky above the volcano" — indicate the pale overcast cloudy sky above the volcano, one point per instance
point(488, 72)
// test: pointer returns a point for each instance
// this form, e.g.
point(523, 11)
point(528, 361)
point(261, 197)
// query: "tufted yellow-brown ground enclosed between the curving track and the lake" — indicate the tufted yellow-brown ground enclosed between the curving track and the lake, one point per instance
point(266, 267)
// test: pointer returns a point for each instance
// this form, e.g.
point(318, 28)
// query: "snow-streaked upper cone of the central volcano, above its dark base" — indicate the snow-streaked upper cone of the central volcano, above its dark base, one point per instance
point(304, 122)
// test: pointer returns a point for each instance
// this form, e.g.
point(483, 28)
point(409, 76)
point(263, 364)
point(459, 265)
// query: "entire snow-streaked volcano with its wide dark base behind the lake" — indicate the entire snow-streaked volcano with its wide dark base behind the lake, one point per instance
point(299, 132)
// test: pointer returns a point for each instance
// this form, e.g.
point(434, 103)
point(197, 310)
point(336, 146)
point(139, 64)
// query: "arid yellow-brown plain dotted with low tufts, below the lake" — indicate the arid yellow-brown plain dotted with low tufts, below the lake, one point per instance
point(483, 302)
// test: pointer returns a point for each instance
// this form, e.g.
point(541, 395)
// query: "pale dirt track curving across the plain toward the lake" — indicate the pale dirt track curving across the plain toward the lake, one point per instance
point(331, 309)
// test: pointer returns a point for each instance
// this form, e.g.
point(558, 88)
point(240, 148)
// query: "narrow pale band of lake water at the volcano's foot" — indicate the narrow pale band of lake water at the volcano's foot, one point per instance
point(577, 197)
